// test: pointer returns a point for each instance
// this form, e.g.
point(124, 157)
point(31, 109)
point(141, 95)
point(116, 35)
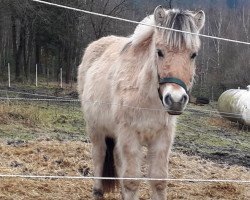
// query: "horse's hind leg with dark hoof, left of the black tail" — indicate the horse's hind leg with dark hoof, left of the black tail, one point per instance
point(98, 155)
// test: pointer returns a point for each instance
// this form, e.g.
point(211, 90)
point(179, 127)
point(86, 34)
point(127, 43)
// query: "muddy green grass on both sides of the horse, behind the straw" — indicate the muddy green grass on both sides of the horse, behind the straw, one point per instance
point(198, 133)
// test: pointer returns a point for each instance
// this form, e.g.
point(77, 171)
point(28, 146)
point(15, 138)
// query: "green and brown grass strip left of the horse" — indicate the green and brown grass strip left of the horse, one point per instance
point(32, 120)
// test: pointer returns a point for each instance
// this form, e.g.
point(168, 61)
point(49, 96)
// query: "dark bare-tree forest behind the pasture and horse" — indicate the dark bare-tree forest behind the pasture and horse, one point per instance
point(52, 38)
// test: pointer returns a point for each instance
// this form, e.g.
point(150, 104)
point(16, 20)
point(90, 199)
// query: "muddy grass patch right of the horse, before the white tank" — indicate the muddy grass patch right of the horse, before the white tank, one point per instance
point(209, 135)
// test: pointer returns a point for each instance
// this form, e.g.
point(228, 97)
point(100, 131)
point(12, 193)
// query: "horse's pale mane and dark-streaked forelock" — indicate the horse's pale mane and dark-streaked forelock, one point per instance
point(176, 19)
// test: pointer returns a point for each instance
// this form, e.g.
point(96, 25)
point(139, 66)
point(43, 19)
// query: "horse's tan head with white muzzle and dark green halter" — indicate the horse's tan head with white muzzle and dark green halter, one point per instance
point(175, 54)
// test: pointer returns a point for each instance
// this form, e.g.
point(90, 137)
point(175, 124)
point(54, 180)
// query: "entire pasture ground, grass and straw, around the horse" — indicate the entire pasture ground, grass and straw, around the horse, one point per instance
point(48, 138)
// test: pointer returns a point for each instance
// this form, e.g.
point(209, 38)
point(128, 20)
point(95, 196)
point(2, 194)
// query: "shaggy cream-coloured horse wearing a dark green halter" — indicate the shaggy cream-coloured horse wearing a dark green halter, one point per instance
point(131, 90)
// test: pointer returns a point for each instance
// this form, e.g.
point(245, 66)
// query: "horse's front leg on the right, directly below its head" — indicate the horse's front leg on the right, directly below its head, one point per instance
point(158, 165)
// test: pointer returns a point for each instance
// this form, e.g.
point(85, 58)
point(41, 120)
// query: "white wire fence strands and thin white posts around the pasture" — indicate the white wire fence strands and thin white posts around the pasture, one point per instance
point(52, 98)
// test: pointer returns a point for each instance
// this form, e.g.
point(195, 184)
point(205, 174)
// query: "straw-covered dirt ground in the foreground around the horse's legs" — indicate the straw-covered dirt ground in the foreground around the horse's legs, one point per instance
point(73, 158)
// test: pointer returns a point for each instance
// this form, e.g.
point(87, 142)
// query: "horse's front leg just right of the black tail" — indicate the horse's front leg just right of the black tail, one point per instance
point(130, 154)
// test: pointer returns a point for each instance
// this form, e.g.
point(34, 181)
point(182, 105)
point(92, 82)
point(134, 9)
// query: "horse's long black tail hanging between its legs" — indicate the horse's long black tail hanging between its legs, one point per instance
point(109, 169)
